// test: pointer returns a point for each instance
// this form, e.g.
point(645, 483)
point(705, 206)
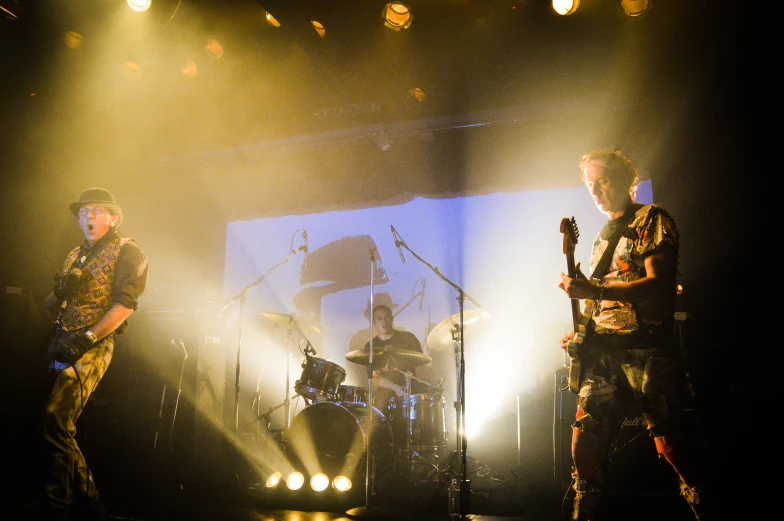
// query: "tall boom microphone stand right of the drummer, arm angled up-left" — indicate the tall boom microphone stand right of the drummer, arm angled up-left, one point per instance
point(457, 336)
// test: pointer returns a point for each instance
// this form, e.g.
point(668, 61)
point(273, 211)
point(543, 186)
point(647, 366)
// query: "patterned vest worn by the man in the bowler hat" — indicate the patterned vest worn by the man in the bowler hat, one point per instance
point(92, 296)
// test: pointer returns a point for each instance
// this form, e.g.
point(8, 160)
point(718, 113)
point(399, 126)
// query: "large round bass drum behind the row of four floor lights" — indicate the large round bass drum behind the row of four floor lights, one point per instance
point(336, 433)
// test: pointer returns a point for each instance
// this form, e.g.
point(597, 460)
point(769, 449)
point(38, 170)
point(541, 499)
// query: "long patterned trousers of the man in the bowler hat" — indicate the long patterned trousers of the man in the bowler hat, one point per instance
point(68, 477)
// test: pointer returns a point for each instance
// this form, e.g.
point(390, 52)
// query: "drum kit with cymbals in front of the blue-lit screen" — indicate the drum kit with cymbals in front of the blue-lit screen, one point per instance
point(407, 430)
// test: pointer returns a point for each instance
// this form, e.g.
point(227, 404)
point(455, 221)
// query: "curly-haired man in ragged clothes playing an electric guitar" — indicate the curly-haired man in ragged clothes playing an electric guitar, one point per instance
point(630, 351)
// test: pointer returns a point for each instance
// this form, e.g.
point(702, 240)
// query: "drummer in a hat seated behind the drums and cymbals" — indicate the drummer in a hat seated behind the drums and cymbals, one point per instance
point(393, 374)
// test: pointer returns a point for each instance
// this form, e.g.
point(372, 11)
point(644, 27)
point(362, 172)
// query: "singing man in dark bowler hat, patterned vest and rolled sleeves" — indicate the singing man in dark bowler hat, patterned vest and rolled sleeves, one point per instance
point(97, 289)
